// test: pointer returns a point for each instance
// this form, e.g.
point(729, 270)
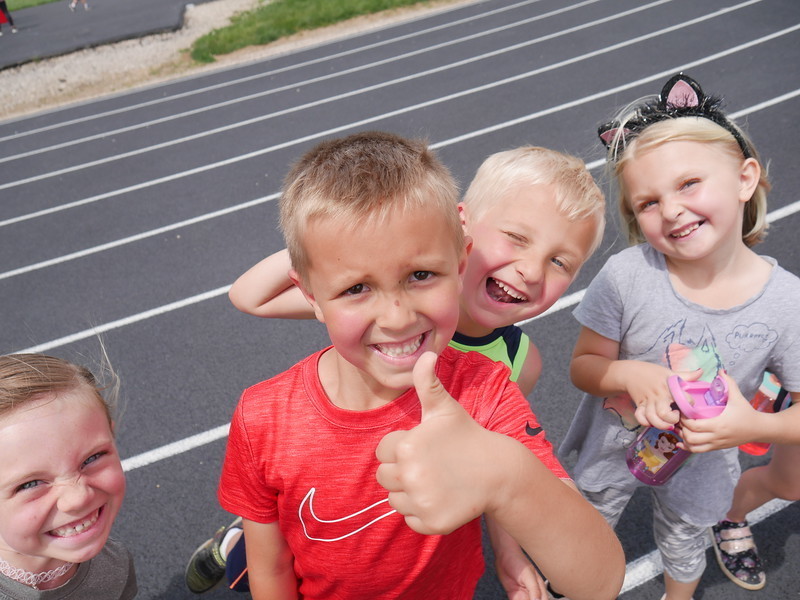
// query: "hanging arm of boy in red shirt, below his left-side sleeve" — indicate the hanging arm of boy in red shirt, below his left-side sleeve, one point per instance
point(270, 567)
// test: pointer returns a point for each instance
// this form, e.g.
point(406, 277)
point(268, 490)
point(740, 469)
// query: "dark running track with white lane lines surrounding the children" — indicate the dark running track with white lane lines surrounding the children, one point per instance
point(126, 219)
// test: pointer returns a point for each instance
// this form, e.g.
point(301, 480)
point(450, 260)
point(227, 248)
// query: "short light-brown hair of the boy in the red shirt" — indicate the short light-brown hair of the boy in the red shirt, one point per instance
point(370, 175)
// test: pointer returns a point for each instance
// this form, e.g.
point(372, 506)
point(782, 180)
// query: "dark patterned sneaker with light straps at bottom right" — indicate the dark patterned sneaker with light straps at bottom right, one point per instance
point(737, 554)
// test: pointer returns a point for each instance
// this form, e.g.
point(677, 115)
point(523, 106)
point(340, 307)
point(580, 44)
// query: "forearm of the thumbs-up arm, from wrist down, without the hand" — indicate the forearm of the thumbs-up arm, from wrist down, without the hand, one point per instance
point(564, 535)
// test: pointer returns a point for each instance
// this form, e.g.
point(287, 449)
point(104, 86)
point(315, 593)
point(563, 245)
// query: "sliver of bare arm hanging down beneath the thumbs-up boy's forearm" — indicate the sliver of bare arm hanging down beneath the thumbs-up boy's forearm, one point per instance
point(516, 573)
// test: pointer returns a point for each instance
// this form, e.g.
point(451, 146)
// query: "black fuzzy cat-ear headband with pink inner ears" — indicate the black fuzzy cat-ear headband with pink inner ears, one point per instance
point(681, 96)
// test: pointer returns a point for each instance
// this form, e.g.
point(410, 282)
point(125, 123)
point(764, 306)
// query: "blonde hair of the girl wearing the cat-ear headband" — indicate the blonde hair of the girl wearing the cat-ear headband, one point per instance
point(689, 129)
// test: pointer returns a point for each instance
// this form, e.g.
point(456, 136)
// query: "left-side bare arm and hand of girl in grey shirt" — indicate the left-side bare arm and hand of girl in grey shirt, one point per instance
point(596, 369)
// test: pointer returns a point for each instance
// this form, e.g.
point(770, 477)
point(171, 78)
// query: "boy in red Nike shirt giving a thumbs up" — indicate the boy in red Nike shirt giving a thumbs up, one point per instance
point(377, 249)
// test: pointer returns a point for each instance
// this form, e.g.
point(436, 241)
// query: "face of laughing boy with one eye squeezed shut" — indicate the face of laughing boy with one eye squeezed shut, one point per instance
point(525, 254)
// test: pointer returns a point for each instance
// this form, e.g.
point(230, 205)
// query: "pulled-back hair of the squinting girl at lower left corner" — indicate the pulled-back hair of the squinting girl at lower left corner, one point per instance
point(27, 377)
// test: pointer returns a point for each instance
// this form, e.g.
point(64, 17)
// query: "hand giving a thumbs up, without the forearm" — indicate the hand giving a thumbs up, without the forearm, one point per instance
point(440, 474)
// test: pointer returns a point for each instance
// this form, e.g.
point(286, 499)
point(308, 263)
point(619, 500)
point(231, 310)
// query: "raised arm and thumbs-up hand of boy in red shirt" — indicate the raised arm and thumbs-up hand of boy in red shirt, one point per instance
point(448, 470)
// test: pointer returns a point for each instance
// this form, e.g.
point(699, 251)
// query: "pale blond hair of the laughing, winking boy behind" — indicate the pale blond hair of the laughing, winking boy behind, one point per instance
point(577, 195)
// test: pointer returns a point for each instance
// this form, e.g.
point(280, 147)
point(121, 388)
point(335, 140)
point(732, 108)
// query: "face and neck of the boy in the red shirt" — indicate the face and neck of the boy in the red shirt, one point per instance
point(387, 291)
